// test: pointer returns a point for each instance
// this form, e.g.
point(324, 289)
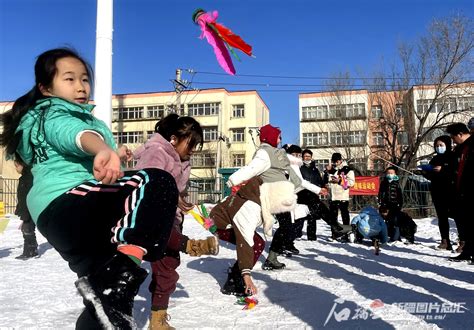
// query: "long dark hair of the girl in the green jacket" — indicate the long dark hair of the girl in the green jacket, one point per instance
point(45, 71)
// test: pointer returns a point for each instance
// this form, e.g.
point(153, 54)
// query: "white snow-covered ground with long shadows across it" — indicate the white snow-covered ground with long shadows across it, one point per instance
point(329, 285)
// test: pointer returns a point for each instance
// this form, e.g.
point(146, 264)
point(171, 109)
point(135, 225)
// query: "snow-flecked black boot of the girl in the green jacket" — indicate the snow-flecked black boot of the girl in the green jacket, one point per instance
point(111, 289)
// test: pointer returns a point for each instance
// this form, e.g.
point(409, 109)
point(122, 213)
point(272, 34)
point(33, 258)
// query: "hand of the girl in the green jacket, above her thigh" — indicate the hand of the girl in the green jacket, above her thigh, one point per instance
point(107, 166)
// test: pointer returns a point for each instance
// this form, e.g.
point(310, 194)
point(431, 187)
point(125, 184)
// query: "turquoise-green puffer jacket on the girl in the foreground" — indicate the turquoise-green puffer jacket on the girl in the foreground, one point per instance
point(48, 135)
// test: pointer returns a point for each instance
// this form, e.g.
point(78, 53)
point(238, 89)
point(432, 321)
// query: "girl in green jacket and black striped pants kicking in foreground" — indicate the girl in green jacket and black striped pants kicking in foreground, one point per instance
point(102, 221)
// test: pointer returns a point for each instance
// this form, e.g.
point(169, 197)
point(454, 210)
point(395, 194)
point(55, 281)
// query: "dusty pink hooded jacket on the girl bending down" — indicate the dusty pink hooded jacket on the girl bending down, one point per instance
point(159, 153)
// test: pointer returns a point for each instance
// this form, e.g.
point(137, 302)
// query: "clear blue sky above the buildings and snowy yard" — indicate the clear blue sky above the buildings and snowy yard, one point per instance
point(294, 38)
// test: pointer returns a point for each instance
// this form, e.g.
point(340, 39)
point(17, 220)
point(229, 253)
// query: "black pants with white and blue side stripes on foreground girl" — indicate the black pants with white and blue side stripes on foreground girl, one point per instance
point(85, 224)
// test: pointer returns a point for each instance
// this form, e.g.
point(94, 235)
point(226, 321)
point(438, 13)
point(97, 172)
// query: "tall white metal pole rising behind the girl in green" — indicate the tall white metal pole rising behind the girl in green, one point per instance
point(103, 61)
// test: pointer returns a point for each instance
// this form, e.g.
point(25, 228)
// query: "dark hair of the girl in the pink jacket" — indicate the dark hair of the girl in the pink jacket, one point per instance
point(181, 127)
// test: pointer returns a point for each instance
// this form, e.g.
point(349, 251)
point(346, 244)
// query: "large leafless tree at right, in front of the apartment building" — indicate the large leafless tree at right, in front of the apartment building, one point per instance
point(435, 71)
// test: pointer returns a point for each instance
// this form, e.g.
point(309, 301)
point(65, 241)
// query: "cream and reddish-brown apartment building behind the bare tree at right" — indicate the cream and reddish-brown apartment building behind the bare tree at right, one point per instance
point(368, 128)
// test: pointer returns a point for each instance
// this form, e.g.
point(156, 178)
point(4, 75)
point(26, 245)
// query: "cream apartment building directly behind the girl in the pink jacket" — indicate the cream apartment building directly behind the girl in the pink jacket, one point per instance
point(229, 120)
